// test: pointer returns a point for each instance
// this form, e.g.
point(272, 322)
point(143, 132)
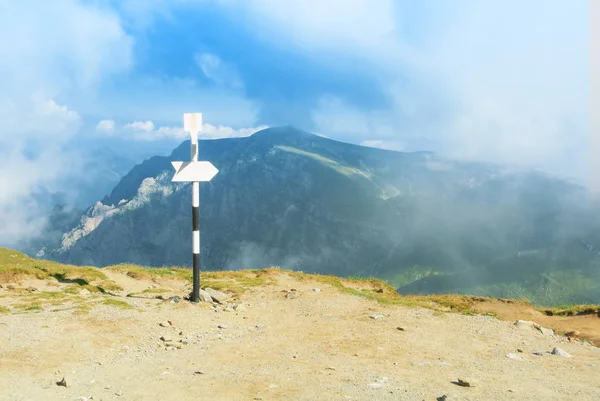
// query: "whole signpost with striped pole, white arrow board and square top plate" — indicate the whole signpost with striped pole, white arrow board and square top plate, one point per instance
point(194, 172)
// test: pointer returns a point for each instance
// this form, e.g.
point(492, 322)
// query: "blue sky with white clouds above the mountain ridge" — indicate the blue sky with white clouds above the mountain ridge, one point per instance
point(504, 81)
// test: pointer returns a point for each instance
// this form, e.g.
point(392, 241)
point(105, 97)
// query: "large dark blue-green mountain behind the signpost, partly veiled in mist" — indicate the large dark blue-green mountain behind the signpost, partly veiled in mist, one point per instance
point(288, 198)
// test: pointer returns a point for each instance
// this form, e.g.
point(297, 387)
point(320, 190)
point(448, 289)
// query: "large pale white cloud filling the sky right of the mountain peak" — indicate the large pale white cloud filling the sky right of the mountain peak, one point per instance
point(484, 82)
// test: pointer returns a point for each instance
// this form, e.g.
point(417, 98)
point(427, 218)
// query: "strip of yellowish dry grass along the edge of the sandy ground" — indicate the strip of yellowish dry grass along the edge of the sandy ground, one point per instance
point(16, 267)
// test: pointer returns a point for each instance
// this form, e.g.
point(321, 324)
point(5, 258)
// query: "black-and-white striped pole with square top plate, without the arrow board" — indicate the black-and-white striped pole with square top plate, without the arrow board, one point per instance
point(193, 124)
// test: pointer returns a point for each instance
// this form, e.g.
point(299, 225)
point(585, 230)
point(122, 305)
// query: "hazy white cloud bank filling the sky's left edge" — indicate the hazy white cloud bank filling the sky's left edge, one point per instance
point(58, 48)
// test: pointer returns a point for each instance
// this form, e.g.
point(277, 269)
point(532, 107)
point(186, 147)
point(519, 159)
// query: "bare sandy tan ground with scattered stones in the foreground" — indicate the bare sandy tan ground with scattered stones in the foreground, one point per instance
point(282, 344)
